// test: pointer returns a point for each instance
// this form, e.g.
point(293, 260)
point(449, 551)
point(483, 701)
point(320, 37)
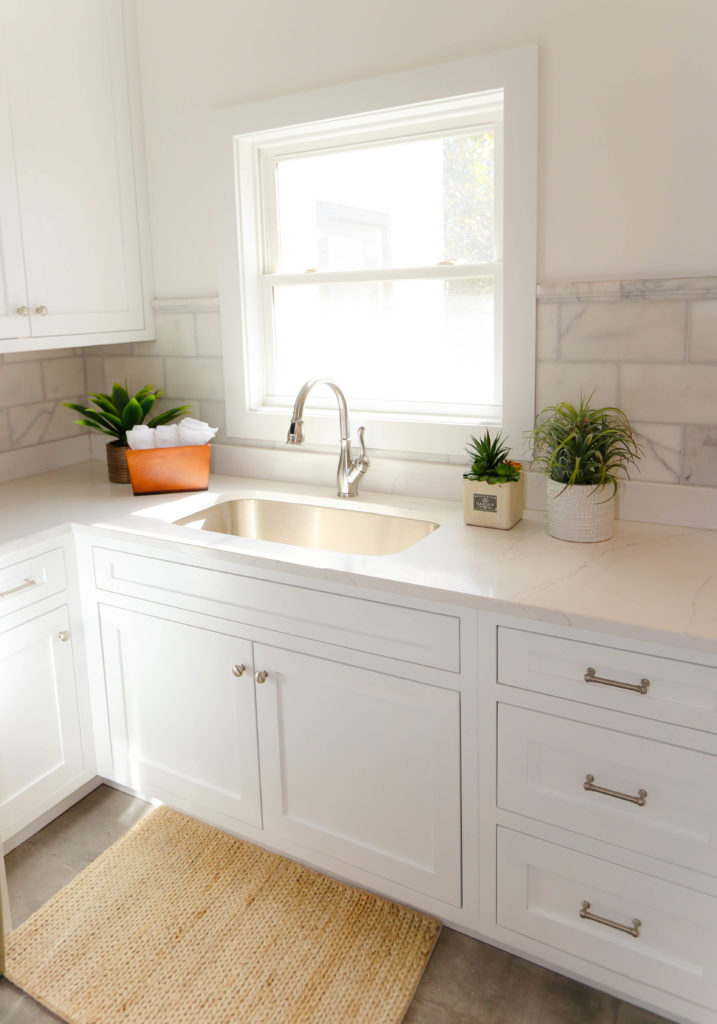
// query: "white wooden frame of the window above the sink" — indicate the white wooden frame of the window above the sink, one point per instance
point(324, 117)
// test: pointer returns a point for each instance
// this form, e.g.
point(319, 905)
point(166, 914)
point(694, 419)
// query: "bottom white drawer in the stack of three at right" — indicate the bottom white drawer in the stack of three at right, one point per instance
point(543, 887)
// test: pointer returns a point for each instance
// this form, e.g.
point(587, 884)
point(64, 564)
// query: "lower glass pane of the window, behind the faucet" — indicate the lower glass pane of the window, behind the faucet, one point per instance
point(388, 344)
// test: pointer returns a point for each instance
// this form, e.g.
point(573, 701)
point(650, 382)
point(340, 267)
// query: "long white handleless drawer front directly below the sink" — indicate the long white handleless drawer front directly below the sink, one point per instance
point(425, 638)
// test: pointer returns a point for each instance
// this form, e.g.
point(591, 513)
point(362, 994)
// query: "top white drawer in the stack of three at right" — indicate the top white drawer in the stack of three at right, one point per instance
point(680, 692)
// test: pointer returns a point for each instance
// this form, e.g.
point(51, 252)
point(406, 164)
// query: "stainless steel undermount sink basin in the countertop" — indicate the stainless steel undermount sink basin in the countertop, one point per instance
point(351, 531)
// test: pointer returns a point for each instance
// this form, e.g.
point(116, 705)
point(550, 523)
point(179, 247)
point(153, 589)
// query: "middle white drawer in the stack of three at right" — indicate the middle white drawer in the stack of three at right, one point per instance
point(543, 764)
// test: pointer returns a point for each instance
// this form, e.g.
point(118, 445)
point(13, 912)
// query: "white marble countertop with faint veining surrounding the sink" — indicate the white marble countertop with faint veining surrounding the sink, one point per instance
point(651, 582)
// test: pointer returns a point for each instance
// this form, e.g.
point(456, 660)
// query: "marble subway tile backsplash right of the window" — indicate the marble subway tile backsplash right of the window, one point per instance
point(648, 347)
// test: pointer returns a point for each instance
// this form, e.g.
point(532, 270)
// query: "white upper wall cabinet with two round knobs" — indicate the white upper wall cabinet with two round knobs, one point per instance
point(74, 254)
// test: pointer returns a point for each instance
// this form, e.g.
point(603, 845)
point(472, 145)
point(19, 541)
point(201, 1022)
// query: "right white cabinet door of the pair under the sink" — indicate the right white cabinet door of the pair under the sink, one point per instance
point(364, 767)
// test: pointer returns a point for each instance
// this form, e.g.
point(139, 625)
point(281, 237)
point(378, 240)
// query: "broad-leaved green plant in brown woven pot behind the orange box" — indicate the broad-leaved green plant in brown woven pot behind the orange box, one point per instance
point(118, 413)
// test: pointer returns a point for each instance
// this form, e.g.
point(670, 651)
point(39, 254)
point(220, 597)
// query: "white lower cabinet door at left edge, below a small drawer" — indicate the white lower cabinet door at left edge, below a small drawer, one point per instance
point(41, 754)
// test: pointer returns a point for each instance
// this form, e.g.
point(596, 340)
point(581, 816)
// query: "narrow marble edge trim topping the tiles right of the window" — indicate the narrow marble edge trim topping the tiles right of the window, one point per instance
point(647, 288)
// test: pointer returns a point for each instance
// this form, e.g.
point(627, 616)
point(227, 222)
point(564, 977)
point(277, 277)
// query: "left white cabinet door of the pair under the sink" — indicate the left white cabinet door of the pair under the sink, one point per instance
point(183, 723)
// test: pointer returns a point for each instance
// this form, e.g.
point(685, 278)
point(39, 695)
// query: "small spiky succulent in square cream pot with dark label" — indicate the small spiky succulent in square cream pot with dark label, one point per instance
point(493, 486)
